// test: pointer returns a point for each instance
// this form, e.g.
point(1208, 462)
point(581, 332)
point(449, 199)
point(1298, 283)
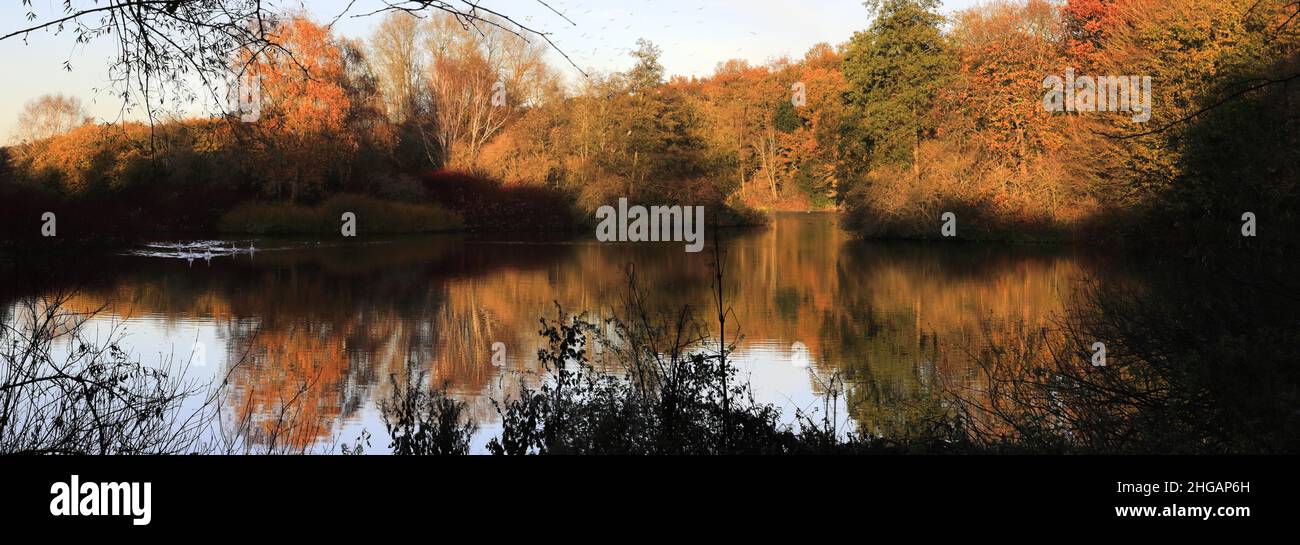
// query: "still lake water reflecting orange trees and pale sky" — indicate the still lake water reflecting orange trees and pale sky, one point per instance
point(327, 323)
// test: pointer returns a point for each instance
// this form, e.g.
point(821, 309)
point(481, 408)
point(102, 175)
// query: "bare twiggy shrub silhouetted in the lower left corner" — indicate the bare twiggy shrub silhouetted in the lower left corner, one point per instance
point(68, 391)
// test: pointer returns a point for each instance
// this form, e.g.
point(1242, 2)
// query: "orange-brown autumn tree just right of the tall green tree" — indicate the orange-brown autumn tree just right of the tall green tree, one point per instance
point(994, 111)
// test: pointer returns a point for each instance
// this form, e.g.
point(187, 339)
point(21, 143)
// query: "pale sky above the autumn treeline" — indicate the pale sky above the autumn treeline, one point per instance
point(695, 37)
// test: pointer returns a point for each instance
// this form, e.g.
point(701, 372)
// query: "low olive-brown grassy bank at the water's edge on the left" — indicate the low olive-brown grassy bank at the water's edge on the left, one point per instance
point(372, 217)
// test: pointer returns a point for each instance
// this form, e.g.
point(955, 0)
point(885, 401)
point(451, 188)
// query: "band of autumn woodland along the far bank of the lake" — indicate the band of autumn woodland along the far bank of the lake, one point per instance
point(915, 116)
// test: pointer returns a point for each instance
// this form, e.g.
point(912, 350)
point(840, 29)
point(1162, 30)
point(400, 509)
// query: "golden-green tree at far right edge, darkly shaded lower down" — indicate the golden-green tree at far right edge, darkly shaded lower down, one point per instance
point(1219, 68)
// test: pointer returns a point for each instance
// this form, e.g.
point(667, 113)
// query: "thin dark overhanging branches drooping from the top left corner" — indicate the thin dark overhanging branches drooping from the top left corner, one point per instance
point(163, 47)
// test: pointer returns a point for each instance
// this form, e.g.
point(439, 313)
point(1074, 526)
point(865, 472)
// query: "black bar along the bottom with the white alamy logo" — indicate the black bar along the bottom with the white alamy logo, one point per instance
point(330, 496)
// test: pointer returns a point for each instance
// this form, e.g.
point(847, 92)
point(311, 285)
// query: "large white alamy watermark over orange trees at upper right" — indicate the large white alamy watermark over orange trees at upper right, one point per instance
point(1099, 94)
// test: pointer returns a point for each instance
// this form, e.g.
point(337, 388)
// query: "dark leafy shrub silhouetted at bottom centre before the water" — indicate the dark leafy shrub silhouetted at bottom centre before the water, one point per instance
point(675, 396)
